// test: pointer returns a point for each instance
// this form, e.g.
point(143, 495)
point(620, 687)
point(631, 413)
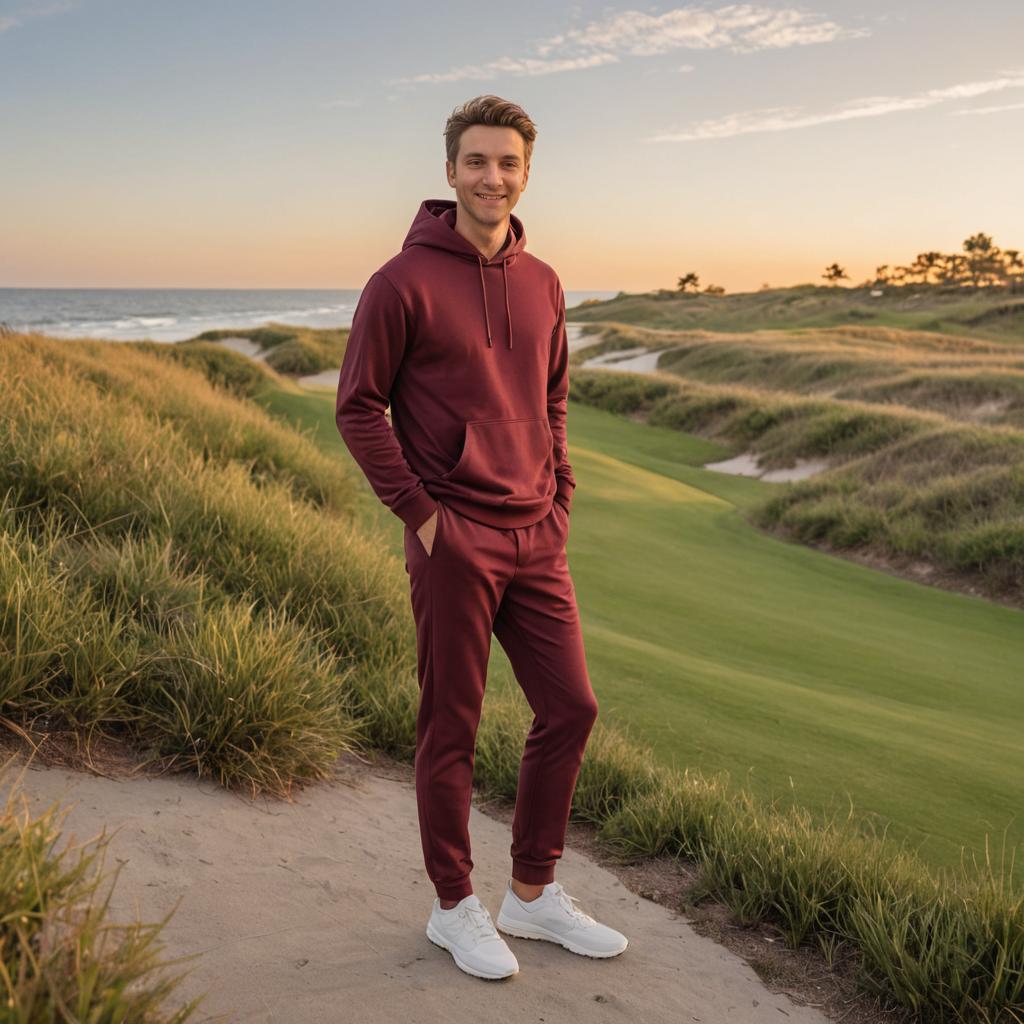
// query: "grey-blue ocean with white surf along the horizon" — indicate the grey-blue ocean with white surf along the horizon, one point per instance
point(177, 314)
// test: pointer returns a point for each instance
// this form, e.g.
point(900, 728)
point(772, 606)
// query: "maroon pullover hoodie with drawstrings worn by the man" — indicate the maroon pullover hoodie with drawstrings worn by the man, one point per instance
point(473, 357)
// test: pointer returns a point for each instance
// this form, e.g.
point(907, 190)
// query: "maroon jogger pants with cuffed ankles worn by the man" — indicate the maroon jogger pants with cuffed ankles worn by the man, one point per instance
point(515, 583)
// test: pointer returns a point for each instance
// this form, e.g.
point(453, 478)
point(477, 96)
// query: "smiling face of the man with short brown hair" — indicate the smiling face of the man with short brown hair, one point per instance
point(491, 162)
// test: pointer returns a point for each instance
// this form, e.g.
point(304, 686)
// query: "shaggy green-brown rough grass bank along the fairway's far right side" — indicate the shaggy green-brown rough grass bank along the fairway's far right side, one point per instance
point(908, 485)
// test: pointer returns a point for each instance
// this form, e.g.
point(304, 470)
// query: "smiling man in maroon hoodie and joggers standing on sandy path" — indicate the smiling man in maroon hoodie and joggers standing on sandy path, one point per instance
point(463, 334)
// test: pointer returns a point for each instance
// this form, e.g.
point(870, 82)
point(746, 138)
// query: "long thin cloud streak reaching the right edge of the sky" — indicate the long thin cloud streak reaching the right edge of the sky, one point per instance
point(789, 118)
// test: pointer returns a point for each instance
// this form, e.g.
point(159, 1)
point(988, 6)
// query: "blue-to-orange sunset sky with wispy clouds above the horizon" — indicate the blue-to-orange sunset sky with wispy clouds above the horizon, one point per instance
point(288, 144)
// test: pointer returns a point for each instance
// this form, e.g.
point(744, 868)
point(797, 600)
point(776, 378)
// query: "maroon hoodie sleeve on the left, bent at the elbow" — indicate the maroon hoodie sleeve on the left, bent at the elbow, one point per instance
point(377, 345)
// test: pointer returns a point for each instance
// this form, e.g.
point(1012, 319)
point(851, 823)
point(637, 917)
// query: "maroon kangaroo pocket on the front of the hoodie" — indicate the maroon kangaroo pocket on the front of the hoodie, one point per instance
point(506, 462)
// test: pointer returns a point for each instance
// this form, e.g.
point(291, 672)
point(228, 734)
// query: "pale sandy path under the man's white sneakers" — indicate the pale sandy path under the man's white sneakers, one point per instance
point(315, 912)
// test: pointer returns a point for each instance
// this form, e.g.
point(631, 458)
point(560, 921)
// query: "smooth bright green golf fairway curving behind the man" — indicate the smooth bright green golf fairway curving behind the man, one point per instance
point(805, 676)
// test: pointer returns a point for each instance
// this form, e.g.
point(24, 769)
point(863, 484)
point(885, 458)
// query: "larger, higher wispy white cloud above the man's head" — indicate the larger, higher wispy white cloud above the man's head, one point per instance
point(740, 28)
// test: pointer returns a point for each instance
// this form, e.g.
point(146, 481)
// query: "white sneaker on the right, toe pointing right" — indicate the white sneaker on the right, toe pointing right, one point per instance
point(553, 917)
